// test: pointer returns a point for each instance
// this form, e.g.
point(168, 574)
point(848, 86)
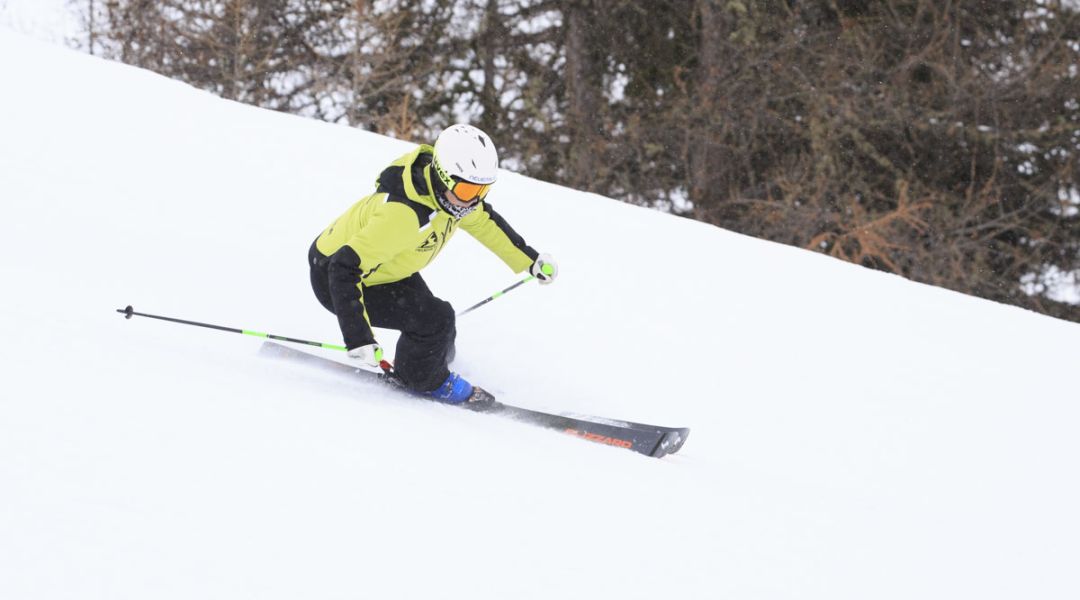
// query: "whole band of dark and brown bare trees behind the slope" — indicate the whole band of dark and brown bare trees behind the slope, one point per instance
point(937, 140)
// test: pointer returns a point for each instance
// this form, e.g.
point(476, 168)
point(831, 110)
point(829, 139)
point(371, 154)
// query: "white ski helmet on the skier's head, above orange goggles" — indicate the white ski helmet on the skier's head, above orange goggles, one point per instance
point(464, 153)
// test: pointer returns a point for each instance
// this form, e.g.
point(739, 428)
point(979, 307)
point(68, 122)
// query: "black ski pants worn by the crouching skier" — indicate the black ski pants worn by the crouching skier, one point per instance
point(427, 324)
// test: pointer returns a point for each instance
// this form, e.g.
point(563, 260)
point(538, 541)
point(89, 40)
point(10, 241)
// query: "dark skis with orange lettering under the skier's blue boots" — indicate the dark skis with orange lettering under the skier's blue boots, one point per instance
point(646, 440)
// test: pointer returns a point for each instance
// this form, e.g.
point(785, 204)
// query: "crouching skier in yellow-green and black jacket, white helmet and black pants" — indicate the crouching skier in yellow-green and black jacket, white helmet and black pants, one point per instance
point(366, 267)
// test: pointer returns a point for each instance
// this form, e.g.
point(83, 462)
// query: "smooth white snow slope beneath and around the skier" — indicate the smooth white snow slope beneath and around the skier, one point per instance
point(856, 435)
